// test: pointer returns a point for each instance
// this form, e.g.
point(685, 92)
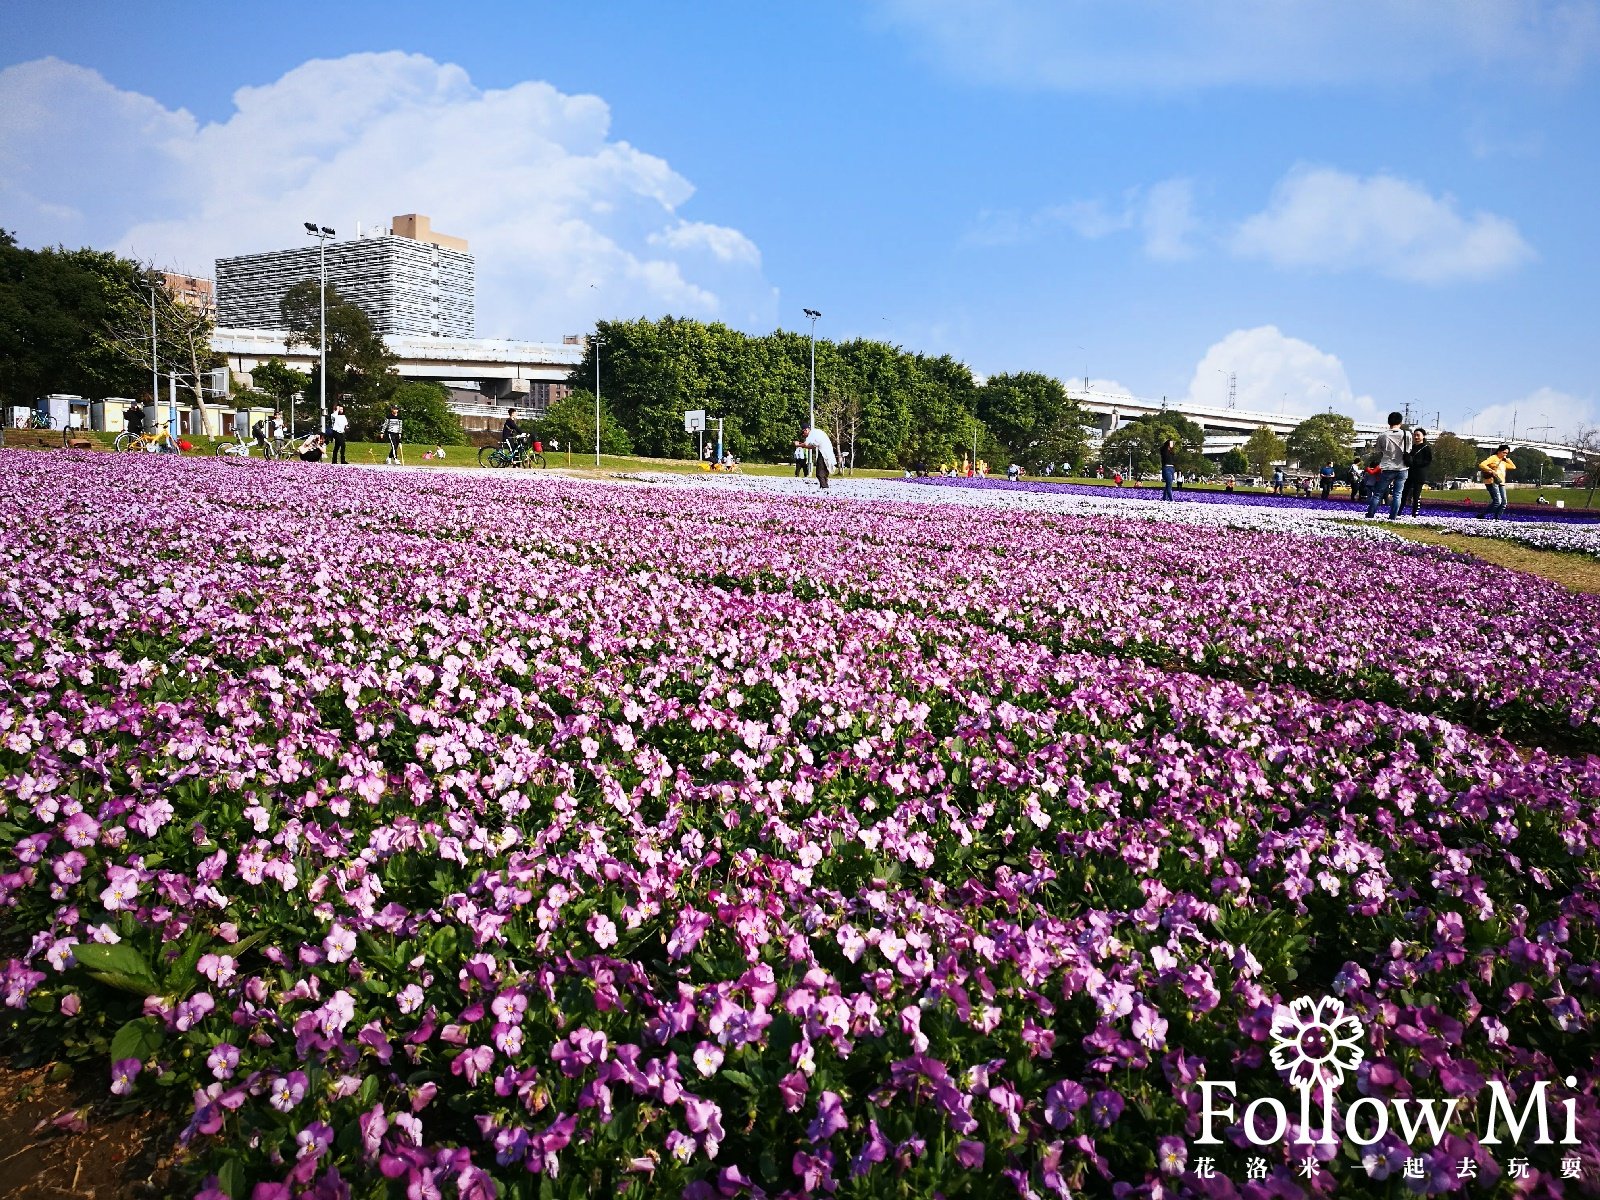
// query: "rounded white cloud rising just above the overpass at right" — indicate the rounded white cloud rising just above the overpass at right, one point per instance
point(1278, 374)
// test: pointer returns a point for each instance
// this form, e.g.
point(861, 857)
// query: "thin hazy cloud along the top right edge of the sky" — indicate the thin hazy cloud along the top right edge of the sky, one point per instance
point(1175, 46)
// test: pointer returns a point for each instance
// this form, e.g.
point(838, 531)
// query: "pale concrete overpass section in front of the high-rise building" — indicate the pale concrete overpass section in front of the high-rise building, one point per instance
point(505, 370)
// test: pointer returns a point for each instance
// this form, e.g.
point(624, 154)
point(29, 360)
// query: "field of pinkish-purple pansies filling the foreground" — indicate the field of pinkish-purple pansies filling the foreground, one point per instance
point(425, 834)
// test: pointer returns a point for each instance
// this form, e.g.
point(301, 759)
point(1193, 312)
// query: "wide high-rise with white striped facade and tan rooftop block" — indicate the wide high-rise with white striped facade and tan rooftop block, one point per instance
point(407, 279)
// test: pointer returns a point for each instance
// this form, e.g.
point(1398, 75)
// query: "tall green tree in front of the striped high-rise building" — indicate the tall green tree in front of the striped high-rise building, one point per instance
point(359, 364)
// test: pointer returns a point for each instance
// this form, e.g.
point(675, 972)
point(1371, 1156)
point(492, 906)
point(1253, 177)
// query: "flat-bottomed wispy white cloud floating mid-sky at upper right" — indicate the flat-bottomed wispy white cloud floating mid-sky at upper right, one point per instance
point(1321, 218)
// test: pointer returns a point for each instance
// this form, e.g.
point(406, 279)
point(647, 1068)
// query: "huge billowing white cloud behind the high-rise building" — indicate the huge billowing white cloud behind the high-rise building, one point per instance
point(566, 222)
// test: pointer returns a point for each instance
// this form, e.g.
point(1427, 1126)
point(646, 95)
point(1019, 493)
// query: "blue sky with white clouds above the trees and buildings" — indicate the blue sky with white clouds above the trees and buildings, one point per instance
point(1362, 206)
